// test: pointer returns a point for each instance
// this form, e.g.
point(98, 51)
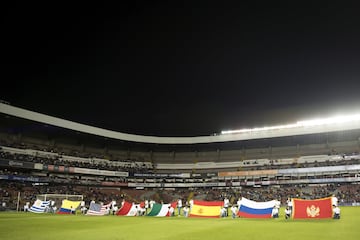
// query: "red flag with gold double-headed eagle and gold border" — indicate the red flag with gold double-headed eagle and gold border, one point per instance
point(317, 208)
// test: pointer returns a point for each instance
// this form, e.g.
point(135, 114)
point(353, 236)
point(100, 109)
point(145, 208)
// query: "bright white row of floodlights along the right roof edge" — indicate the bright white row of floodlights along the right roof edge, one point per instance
point(305, 123)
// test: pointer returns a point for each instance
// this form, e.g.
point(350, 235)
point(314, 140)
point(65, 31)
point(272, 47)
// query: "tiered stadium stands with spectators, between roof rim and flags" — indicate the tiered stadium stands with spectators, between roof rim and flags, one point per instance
point(36, 158)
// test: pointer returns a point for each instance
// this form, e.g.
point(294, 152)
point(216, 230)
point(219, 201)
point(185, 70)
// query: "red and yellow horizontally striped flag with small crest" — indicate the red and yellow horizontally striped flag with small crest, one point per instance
point(209, 209)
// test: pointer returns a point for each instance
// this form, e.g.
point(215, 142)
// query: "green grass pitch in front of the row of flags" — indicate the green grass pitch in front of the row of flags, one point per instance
point(59, 227)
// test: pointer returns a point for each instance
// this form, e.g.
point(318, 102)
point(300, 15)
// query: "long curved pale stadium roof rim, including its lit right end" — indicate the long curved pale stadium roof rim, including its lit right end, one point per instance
point(340, 123)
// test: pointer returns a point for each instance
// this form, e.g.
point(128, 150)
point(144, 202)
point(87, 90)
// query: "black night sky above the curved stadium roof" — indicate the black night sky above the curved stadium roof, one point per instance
point(182, 69)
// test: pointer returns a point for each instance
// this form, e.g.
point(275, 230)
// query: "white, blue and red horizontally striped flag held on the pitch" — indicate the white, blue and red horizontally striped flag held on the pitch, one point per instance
point(252, 209)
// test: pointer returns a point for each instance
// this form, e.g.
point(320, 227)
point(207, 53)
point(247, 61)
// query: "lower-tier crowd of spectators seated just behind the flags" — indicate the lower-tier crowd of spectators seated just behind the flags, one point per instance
point(10, 190)
